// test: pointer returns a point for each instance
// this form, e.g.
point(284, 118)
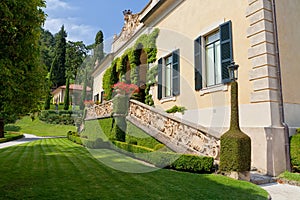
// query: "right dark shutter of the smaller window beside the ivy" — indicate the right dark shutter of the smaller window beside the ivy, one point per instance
point(176, 72)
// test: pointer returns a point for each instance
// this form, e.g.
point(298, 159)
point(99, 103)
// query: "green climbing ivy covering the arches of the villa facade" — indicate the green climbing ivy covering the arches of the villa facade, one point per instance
point(118, 71)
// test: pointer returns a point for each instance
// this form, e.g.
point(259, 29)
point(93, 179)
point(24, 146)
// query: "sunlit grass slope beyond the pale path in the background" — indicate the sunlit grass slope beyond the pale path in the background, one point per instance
point(39, 128)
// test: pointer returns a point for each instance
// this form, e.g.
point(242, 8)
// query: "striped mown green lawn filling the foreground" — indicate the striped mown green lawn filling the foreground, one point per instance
point(60, 169)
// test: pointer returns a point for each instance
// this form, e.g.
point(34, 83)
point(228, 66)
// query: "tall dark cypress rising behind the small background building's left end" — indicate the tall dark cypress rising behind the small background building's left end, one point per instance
point(59, 69)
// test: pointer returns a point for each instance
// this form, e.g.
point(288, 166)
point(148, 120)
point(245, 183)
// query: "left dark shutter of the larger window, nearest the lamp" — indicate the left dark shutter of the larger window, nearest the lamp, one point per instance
point(198, 63)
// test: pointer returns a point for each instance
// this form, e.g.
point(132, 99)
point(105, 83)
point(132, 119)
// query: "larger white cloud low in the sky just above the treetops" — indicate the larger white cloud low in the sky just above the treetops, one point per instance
point(75, 30)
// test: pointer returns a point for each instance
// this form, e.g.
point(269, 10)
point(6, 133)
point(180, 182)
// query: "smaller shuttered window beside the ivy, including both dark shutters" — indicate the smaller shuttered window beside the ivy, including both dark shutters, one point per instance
point(168, 76)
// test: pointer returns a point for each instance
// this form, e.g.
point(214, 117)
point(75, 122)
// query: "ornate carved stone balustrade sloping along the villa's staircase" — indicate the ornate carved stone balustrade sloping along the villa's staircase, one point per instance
point(179, 135)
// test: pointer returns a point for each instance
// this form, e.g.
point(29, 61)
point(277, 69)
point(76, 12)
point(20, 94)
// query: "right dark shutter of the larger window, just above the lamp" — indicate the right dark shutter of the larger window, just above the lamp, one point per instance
point(226, 49)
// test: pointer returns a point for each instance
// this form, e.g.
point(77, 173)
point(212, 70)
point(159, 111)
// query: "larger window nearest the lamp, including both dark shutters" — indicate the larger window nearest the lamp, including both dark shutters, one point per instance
point(213, 54)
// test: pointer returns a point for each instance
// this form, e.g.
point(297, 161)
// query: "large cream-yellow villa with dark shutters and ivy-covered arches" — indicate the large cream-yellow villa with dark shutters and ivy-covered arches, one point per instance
point(177, 53)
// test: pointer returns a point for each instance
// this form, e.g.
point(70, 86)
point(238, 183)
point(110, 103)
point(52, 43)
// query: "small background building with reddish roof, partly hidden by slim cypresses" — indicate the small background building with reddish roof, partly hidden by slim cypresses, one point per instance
point(75, 92)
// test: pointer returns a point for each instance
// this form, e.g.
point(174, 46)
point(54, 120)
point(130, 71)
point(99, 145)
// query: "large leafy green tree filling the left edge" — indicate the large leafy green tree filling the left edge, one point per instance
point(22, 75)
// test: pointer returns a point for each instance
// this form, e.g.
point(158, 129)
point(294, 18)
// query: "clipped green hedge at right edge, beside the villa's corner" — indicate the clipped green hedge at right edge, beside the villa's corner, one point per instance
point(295, 151)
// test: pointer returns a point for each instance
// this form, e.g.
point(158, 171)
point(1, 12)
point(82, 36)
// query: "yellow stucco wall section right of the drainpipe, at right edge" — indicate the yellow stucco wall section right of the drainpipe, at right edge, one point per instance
point(288, 17)
